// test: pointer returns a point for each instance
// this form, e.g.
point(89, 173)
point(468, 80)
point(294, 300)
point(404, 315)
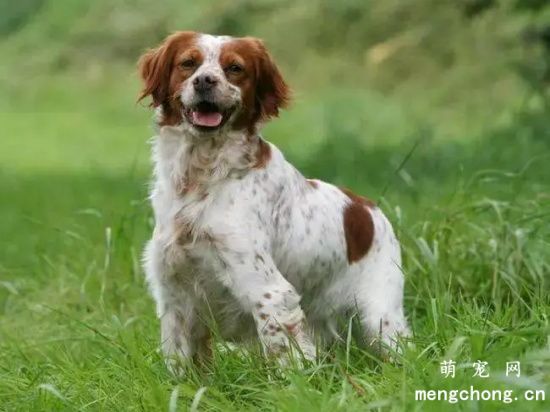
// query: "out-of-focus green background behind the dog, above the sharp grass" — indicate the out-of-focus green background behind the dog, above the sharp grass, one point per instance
point(372, 80)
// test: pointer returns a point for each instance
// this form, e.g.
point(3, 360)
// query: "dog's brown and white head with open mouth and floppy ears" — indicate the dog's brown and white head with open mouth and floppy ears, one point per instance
point(208, 83)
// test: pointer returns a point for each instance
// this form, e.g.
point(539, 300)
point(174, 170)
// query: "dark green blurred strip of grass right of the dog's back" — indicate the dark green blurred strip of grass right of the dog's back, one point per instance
point(420, 162)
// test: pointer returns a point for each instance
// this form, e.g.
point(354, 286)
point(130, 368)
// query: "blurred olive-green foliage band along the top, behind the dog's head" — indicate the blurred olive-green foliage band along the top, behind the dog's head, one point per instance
point(462, 58)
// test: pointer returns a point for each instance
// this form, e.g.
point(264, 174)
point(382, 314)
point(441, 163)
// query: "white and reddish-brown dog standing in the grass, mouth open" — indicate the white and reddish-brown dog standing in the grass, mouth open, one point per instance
point(240, 235)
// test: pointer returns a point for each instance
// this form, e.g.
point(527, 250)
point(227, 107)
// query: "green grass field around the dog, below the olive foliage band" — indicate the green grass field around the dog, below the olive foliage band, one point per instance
point(77, 326)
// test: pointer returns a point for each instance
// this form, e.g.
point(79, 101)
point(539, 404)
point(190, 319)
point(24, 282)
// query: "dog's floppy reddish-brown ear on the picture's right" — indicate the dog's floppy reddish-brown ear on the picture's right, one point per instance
point(272, 92)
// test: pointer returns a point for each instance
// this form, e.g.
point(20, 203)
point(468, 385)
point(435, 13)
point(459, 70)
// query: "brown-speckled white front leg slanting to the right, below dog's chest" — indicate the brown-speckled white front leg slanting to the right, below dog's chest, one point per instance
point(274, 304)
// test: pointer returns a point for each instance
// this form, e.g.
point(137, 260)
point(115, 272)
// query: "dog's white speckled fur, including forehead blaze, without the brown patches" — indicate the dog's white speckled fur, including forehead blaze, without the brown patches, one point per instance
point(260, 250)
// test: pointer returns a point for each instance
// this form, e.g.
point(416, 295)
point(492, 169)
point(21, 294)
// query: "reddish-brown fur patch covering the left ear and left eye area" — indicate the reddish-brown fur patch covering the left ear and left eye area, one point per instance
point(163, 74)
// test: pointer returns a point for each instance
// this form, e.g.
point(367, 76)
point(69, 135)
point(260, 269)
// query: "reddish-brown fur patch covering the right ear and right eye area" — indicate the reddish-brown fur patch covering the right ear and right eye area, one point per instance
point(263, 88)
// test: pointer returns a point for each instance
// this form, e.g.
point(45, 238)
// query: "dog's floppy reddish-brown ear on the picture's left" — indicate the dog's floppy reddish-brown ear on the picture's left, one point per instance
point(154, 68)
